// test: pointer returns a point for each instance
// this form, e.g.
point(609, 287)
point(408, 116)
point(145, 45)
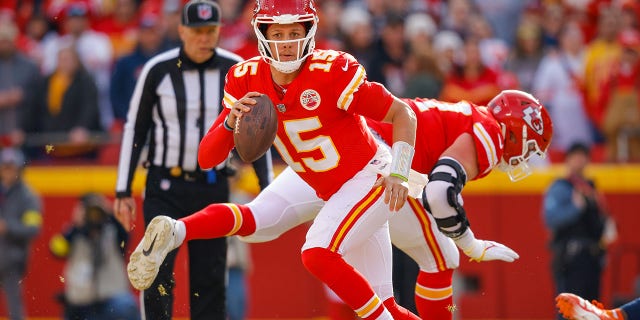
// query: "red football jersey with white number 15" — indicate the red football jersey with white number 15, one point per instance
point(321, 134)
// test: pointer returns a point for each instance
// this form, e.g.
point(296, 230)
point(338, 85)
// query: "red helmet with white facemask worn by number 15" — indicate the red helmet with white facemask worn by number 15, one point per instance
point(285, 12)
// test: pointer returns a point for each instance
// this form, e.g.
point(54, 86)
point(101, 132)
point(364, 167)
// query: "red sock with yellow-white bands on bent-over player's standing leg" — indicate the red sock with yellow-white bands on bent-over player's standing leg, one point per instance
point(434, 295)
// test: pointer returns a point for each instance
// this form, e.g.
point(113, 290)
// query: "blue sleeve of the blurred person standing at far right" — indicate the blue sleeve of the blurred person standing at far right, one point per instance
point(559, 209)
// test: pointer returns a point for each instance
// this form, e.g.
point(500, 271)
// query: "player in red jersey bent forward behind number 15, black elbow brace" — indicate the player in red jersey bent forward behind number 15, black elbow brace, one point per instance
point(457, 143)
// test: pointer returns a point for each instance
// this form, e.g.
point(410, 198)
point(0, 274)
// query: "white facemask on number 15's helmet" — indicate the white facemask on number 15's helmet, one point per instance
point(269, 48)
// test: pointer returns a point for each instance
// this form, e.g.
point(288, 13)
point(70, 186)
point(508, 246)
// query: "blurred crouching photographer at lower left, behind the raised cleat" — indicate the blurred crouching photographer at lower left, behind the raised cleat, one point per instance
point(96, 285)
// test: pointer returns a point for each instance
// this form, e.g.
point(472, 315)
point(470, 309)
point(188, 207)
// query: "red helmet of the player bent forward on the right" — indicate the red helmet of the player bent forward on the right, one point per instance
point(526, 128)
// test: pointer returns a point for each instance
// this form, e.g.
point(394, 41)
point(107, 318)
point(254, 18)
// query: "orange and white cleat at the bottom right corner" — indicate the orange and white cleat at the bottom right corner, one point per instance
point(575, 308)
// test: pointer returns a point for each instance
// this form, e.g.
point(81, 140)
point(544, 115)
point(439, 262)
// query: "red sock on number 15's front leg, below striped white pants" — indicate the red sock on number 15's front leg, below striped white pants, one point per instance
point(344, 280)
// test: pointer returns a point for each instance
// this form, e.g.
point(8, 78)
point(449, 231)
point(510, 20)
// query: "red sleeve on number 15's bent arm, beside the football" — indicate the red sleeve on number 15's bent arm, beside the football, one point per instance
point(216, 144)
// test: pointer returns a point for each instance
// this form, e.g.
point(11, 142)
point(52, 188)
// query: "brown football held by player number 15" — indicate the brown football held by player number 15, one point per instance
point(256, 130)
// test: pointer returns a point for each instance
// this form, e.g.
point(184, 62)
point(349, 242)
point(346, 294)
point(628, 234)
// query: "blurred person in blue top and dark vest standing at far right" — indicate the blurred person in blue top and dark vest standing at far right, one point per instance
point(581, 229)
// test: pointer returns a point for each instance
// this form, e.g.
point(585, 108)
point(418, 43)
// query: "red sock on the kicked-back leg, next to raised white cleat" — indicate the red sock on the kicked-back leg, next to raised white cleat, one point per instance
point(219, 220)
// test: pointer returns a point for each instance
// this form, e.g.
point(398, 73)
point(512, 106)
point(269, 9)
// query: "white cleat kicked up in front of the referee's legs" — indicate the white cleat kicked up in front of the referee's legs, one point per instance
point(159, 239)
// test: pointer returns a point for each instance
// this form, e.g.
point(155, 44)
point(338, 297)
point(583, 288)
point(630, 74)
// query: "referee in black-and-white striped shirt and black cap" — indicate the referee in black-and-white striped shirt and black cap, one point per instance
point(177, 97)
